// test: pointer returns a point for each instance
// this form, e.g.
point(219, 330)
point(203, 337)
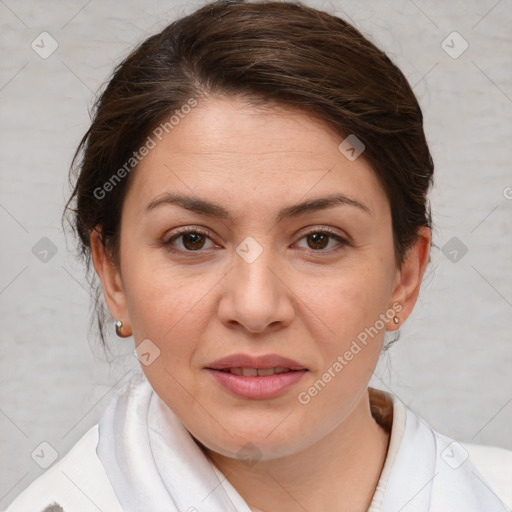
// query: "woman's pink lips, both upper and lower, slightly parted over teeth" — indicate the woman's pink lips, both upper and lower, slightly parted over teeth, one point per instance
point(260, 377)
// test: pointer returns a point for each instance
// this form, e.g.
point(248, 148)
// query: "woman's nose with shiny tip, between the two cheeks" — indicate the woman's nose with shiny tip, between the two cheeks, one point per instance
point(255, 296)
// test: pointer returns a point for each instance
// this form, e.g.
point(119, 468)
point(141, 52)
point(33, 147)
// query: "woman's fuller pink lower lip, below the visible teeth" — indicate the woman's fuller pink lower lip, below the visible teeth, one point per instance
point(257, 388)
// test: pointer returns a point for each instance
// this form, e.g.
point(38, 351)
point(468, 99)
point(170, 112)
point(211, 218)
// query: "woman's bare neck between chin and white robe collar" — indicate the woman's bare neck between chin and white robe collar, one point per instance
point(340, 472)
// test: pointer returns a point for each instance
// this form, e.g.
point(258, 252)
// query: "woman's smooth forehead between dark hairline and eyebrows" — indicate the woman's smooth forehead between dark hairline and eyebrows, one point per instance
point(231, 152)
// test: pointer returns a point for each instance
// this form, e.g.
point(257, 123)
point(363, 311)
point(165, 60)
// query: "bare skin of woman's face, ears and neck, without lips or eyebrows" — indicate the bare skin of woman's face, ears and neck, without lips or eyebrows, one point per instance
point(301, 298)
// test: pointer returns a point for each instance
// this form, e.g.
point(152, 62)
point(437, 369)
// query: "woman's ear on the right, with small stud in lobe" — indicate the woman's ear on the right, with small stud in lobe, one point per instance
point(409, 276)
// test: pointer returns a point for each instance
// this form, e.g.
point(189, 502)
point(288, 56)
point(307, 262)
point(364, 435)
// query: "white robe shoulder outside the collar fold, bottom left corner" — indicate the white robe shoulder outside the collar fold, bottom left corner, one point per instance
point(77, 482)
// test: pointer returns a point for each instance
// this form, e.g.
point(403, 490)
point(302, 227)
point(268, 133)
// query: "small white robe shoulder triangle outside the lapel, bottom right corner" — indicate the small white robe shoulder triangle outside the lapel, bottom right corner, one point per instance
point(495, 465)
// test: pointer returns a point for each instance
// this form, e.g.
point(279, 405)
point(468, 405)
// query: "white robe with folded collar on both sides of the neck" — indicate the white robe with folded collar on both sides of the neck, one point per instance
point(423, 470)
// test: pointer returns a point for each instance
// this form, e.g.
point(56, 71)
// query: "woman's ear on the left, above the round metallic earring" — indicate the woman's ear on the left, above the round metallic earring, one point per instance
point(110, 277)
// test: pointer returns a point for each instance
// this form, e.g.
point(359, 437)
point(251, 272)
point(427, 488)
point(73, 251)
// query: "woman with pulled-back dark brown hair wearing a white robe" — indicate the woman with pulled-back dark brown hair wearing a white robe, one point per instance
point(252, 193)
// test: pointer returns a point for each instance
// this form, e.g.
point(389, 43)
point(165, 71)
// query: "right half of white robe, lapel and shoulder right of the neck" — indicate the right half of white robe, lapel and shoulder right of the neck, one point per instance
point(452, 476)
